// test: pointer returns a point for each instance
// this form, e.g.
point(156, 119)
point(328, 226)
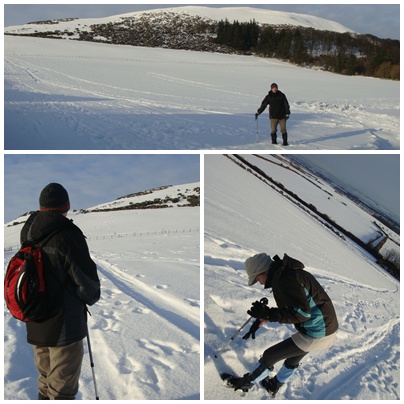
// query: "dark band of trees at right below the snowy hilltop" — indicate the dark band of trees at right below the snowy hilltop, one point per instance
point(344, 53)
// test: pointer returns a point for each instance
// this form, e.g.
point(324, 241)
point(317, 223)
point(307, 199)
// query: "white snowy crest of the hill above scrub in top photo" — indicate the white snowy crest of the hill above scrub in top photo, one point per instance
point(242, 14)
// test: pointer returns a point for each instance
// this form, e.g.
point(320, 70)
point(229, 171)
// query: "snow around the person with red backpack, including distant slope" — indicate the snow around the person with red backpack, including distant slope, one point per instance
point(145, 329)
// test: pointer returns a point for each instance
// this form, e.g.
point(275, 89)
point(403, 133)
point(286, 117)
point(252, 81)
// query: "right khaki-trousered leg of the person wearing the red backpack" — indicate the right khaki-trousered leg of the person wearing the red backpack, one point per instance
point(65, 368)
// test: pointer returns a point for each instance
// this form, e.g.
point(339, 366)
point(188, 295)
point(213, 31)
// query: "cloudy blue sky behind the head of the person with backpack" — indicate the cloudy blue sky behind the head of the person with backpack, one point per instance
point(90, 179)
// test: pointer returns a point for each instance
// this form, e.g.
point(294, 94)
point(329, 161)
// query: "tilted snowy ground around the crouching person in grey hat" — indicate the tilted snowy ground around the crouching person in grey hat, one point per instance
point(245, 215)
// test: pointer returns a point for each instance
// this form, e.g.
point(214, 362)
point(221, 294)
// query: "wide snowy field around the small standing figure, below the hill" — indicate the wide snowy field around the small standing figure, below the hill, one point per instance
point(62, 94)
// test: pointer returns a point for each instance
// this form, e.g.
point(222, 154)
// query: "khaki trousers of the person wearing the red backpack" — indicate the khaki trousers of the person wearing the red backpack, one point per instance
point(59, 370)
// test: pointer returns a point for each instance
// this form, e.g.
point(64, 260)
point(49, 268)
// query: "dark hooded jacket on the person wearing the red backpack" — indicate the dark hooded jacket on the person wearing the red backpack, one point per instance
point(70, 277)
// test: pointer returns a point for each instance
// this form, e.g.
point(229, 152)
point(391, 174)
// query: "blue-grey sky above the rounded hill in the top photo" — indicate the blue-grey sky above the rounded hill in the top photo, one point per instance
point(382, 20)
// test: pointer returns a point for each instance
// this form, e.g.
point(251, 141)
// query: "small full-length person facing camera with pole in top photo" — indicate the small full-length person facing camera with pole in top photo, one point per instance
point(279, 112)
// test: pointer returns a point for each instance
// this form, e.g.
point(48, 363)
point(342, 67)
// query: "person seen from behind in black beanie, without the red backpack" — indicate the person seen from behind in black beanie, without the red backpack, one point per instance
point(72, 281)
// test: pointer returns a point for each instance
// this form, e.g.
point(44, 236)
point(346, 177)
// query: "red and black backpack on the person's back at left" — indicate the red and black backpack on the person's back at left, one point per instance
point(24, 284)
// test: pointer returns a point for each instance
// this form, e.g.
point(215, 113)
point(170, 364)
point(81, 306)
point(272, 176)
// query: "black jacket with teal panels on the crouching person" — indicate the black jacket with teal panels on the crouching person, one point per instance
point(301, 300)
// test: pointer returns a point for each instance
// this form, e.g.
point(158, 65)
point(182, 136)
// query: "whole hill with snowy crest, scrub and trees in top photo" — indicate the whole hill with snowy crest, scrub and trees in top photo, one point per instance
point(298, 38)
